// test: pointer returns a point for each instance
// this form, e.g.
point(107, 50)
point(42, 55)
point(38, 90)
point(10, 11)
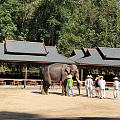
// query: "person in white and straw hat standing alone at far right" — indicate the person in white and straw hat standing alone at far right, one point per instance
point(116, 87)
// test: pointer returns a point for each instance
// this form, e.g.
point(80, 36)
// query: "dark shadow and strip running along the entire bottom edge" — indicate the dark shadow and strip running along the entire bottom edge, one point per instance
point(26, 116)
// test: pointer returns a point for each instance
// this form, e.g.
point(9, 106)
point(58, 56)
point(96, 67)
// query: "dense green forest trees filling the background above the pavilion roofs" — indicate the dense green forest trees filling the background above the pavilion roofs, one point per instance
point(68, 24)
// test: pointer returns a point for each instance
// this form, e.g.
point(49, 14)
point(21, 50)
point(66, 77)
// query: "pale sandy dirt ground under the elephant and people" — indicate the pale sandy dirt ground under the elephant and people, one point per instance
point(29, 103)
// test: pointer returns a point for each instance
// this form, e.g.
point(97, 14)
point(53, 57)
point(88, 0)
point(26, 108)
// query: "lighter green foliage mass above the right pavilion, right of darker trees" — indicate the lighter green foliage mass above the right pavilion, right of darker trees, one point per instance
point(93, 23)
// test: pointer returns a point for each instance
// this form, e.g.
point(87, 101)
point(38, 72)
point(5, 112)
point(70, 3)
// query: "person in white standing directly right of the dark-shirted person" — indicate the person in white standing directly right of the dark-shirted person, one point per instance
point(102, 87)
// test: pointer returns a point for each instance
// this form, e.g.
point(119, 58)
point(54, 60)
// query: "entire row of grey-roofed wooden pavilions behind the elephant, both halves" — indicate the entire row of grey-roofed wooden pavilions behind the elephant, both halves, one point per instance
point(104, 61)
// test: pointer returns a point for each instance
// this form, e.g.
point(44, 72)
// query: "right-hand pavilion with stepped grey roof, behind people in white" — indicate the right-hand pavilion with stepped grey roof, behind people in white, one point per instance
point(102, 60)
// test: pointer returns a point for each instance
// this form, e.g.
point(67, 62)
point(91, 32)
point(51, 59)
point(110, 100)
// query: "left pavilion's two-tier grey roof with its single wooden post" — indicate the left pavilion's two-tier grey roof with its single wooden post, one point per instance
point(24, 53)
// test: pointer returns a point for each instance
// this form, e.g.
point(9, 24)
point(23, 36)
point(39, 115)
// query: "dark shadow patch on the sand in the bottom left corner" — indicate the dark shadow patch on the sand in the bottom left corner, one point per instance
point(16, 115)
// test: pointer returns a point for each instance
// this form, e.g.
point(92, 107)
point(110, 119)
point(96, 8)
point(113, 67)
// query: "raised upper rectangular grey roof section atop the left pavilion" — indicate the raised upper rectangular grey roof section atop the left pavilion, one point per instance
point(24, 47)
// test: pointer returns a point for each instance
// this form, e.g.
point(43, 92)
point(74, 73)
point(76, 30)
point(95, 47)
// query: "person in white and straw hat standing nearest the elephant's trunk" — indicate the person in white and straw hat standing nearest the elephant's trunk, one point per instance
point(88, 85)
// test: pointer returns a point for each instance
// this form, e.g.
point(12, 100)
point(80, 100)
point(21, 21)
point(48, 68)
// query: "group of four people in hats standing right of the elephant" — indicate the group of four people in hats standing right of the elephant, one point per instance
point(99, 85)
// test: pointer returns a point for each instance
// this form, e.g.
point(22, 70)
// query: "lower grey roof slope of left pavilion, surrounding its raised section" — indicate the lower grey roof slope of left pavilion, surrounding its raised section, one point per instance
point(51, 57)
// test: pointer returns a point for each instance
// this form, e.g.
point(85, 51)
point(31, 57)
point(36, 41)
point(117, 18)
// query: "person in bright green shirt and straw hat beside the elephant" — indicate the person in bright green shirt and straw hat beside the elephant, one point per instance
point(70, 83)
